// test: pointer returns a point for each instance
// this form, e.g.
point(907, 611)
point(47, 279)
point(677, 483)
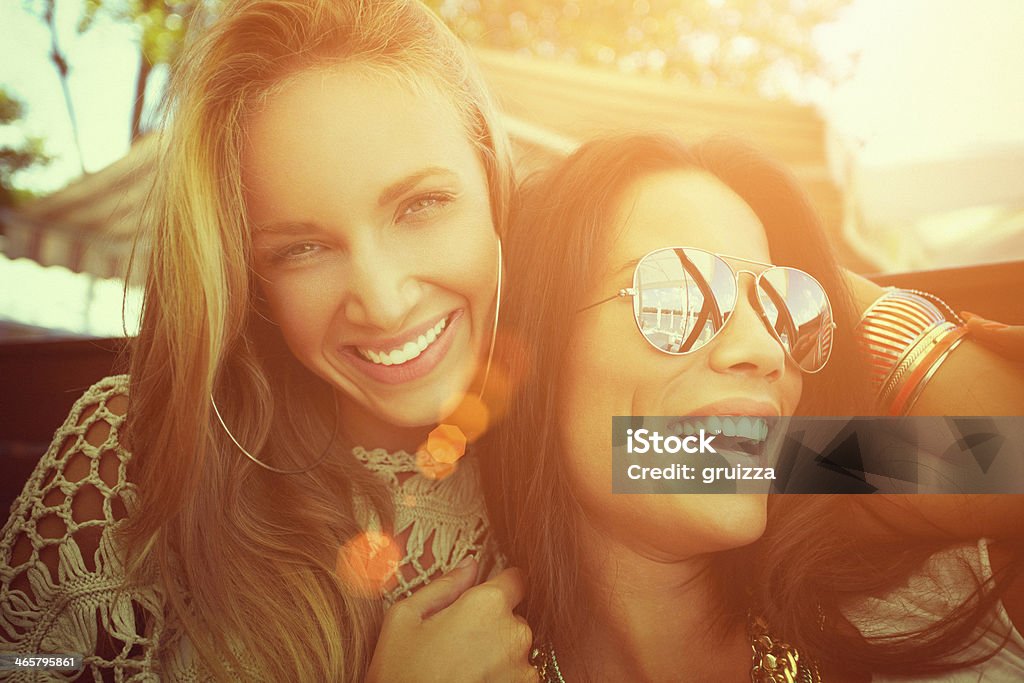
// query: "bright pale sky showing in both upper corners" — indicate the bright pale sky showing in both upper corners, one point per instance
point(935, 79)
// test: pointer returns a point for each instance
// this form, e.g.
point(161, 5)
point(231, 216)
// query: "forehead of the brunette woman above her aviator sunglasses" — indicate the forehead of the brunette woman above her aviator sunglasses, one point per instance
point(687, 208)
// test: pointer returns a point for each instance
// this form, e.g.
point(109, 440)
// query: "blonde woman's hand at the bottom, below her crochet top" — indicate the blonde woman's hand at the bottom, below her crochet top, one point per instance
point(454, 631)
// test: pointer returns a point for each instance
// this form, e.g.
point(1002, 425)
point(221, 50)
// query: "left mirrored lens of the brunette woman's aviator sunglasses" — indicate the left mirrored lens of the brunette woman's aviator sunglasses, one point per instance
point(685, 296)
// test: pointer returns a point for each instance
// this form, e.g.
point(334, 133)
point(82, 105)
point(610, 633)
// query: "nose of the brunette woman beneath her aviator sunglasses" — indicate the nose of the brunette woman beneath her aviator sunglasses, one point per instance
point(745, 346)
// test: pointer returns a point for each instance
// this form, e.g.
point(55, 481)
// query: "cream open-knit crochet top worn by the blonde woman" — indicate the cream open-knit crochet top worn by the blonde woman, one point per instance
point(55, 600)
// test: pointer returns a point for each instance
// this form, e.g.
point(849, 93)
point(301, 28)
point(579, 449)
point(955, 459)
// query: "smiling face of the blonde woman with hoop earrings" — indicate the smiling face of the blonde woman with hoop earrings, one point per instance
point(373, 239)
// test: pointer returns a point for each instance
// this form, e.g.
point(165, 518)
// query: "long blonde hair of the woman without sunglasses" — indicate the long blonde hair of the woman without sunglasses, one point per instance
point(246, 559)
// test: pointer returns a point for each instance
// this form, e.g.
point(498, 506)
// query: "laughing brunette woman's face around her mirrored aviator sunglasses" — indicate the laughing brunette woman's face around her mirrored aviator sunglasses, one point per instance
point(614, 371)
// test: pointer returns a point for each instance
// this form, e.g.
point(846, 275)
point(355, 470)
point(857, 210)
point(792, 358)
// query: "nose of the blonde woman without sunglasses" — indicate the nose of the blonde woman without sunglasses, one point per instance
point(381, 289)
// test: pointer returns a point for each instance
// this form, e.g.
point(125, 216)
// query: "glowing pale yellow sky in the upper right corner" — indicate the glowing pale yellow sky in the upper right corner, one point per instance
point(936, 78)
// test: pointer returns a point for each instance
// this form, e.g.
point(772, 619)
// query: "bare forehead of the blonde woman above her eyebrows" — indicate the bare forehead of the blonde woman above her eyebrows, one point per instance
point(346, 132)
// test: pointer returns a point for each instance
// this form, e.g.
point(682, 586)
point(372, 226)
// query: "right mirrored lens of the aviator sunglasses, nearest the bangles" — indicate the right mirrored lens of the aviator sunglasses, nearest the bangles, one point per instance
point(798, 310)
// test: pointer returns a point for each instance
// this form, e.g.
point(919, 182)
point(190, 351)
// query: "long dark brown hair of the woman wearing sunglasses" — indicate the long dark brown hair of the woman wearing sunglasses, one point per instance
point(561, 235)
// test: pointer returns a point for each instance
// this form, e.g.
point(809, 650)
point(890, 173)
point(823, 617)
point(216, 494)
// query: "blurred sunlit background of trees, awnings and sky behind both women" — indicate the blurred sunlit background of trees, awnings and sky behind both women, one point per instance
point(902, 117)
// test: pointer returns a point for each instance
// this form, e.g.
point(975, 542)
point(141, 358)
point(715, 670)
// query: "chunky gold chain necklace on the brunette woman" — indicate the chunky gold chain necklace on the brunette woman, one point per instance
point(773, 661)
